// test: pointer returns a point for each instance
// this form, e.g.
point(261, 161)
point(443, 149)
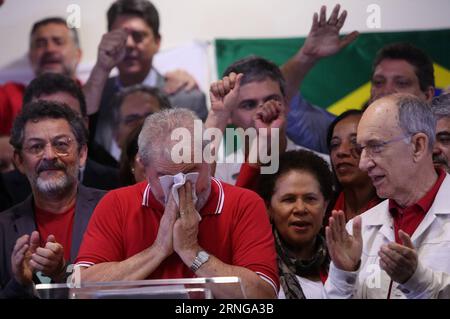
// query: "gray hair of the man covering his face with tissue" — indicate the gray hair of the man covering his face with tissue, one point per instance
point(155, 137)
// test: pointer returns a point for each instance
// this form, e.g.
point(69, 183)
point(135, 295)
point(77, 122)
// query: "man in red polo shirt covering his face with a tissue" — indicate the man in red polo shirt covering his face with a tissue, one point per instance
point(169, 228)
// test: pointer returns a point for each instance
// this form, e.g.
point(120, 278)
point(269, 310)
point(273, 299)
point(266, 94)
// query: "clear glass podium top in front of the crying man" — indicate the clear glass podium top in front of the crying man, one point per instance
point(192, 288)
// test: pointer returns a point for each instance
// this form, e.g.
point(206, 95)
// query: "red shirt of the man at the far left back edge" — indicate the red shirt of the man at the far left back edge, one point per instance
point(11, 96)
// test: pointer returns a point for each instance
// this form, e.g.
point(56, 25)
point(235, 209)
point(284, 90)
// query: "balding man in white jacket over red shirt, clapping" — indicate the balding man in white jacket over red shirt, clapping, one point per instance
point(399, 248)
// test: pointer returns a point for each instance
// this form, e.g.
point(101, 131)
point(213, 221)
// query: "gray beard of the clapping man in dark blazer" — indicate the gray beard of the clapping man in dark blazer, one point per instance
point(55, 185)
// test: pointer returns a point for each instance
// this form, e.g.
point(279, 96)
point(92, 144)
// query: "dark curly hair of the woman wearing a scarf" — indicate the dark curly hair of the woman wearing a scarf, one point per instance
point(300, 160)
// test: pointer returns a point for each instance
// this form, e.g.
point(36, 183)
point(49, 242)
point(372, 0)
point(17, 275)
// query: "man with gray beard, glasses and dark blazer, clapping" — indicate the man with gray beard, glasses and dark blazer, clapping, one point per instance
point(40, 237)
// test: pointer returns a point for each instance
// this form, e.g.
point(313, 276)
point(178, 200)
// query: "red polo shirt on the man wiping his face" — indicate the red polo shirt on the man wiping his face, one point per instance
point(234, 228)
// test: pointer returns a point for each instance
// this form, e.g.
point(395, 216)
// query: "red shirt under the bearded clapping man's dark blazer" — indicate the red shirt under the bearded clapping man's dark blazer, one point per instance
point(60, 225)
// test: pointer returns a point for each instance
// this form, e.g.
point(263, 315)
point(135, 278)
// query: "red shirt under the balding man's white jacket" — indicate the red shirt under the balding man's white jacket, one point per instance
point(409, 218)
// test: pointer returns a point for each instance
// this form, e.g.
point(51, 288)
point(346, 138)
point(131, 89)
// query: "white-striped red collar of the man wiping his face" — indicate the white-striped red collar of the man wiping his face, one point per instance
point(213, 206)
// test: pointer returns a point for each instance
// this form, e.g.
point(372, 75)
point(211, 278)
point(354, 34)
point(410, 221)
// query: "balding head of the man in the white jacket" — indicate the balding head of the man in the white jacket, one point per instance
point(396, 134)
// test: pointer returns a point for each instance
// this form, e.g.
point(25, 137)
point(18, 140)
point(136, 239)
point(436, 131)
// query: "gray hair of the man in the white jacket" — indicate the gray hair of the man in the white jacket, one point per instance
point(415, 116)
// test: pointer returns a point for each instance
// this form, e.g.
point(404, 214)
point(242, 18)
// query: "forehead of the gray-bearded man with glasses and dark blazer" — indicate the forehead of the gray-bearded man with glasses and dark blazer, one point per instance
point(46, 128)
